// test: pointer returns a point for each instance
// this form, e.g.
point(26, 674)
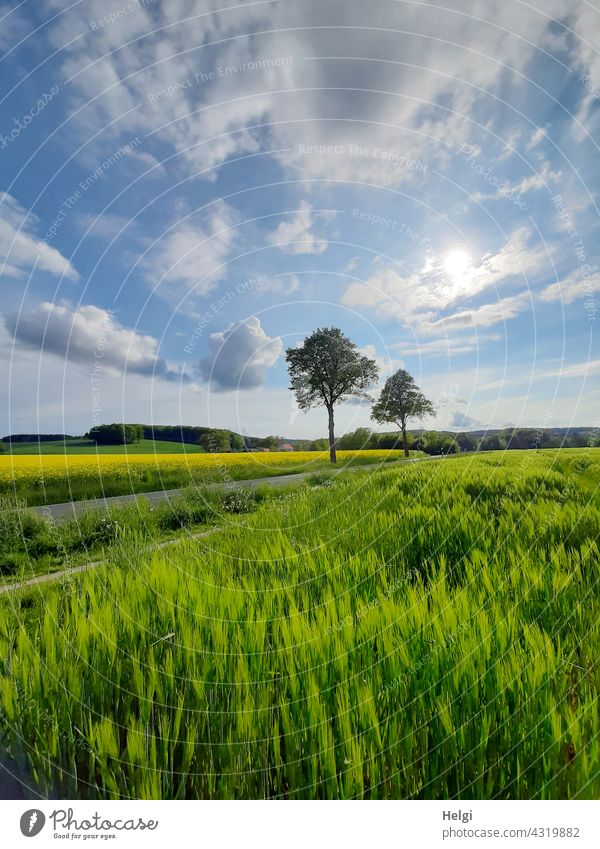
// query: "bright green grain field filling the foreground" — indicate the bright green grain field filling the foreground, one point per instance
point(425, 631)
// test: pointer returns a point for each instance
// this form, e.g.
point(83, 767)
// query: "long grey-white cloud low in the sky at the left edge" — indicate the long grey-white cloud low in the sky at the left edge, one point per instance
point(88, 335)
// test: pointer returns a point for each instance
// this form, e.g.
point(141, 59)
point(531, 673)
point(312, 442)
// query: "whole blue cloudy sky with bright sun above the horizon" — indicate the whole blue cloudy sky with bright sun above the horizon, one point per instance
point(189, 188)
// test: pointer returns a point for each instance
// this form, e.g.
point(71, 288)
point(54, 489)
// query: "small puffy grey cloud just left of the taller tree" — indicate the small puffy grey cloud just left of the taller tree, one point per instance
point(240, 356)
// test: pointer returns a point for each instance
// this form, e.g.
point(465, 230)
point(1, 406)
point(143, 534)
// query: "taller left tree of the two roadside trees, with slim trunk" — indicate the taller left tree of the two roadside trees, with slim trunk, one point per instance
point(328, 369)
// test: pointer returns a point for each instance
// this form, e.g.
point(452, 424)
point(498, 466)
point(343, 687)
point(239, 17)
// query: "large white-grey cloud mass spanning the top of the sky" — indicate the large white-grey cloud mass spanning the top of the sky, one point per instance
point(231, 91)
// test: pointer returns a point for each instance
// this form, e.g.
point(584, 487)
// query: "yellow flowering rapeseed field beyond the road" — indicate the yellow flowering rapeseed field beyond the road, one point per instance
point(51, 479)
